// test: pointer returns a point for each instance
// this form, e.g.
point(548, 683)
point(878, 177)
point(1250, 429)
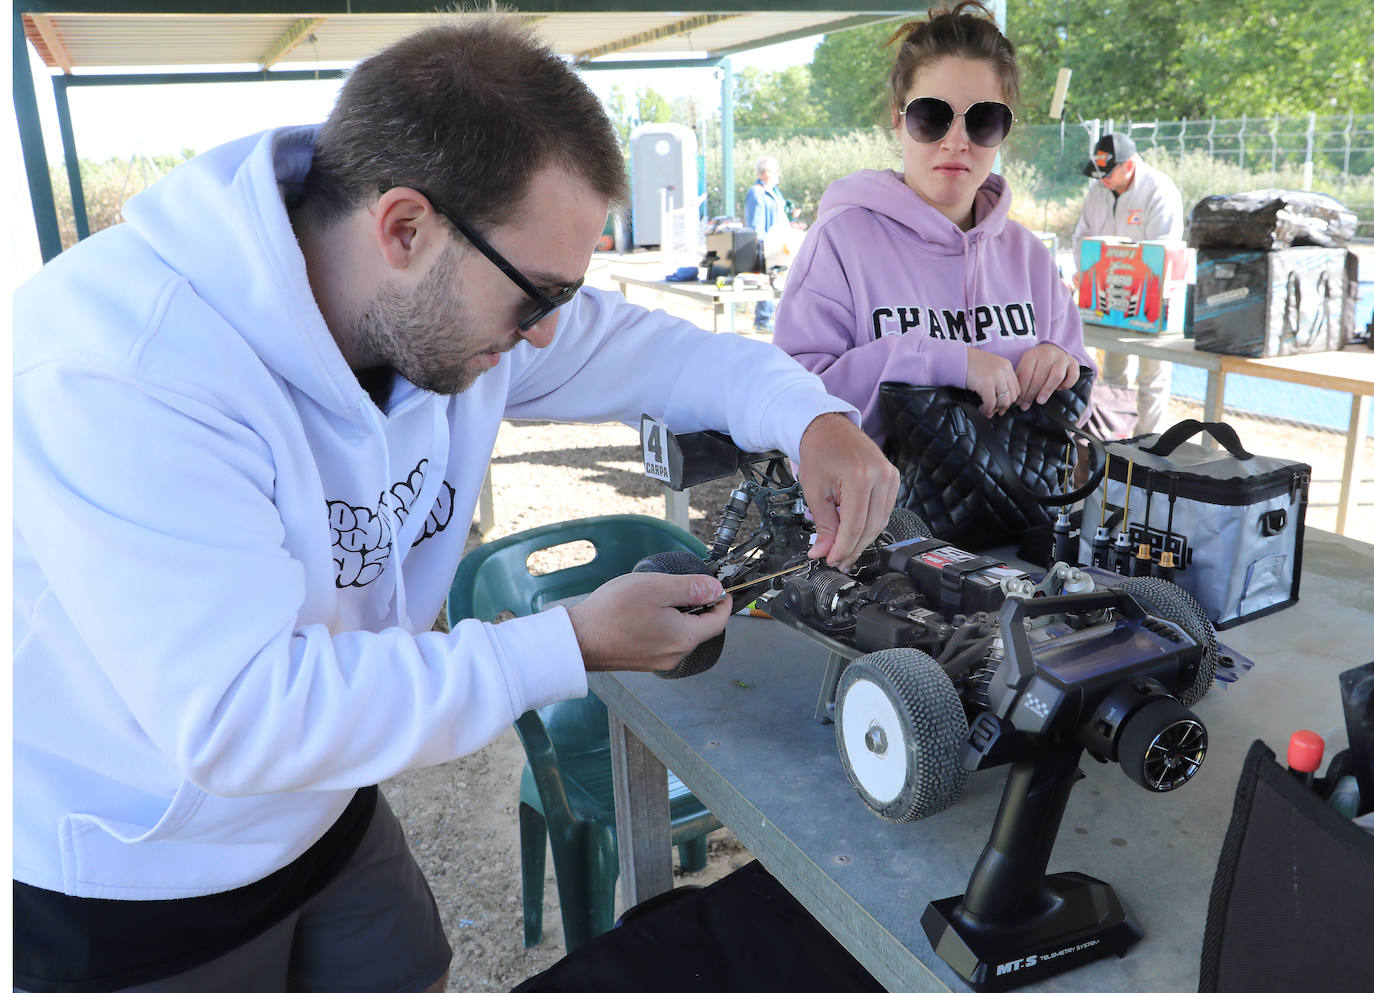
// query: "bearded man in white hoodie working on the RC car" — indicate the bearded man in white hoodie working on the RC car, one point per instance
point(251, 429)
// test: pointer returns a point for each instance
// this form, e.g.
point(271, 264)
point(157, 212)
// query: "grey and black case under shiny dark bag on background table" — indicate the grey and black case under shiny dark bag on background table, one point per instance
point(1272, 303)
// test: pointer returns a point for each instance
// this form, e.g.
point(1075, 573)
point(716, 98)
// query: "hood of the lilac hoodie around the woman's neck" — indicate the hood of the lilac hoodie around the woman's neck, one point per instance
point(884, 193)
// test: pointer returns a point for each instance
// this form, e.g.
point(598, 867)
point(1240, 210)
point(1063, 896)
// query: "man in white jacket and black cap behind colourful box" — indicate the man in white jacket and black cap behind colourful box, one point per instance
point(1130, 200)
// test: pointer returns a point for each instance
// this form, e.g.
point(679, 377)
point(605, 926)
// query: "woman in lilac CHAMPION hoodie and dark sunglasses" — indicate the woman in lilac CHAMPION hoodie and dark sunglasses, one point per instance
point(920, 277)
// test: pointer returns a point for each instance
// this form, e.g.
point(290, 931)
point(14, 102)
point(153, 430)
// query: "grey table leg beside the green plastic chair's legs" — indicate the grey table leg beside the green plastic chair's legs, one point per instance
point(642, 819)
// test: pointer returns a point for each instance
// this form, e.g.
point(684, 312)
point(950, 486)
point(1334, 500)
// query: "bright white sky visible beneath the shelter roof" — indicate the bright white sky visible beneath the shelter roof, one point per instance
point(120, 122)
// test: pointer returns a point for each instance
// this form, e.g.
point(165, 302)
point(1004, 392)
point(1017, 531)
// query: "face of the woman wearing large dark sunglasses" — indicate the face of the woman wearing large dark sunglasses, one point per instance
point(947, 174)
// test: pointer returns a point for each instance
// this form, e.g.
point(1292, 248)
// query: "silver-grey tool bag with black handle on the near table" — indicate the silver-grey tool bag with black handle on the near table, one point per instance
point(1228, 523)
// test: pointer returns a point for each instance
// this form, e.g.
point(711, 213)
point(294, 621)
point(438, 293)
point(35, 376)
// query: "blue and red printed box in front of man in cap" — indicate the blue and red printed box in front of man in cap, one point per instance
point(1134, 285)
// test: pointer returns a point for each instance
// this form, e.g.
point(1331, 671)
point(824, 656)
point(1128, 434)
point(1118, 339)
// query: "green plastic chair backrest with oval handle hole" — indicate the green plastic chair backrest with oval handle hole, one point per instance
point(495, 578)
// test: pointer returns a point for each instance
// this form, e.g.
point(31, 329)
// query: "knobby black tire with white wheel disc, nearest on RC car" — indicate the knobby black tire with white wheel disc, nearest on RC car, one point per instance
point(899, 726)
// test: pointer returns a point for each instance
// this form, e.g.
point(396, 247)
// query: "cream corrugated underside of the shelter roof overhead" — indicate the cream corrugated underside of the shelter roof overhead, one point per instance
point(93, 39)
